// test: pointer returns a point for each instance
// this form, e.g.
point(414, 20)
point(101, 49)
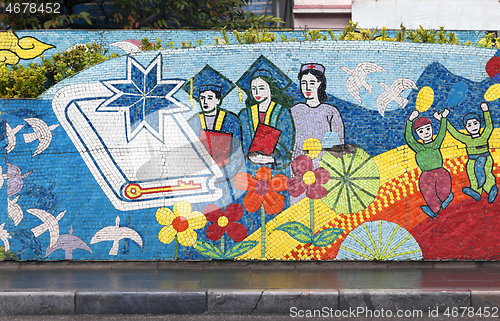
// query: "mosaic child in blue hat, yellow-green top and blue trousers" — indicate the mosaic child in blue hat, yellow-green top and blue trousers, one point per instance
point(480, 162)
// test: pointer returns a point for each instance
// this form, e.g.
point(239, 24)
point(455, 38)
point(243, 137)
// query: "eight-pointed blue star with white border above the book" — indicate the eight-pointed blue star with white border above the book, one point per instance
point(144, 97)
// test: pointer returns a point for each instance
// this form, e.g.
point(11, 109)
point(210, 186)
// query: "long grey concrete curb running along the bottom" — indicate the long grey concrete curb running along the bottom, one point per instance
point(241, 302)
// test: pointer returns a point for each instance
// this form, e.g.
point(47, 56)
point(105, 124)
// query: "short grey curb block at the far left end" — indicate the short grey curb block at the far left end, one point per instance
point(14, 303)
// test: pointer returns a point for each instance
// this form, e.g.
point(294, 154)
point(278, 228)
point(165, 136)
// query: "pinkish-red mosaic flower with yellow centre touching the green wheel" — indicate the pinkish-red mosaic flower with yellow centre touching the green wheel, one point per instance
point(307, 180)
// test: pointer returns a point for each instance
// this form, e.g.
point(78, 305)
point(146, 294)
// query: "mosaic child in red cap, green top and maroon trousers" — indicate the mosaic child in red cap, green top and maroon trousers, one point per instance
point(435, 180)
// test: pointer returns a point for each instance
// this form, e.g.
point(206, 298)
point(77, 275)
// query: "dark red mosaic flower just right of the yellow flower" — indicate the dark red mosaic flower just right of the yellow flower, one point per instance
point(225, 222)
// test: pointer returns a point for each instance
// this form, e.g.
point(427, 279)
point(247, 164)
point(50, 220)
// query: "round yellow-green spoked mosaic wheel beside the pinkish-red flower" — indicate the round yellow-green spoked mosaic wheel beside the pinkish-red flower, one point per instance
point(354, 181)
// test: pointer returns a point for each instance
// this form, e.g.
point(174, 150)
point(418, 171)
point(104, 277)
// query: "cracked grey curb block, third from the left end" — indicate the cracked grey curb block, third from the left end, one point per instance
point(255, 302)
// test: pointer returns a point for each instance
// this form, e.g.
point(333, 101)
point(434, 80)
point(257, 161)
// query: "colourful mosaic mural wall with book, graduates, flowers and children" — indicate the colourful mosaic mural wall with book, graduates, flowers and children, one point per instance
point(275, 151)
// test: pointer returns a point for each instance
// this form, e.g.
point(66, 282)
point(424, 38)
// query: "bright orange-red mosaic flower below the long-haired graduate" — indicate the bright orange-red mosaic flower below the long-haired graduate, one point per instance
point(262, 190)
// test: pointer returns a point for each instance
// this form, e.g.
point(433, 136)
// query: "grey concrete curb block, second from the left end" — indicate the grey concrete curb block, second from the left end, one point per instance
point(141, 302)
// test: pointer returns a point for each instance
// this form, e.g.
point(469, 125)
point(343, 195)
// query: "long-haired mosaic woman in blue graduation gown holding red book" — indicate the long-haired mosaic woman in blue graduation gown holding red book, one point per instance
point(267, 126)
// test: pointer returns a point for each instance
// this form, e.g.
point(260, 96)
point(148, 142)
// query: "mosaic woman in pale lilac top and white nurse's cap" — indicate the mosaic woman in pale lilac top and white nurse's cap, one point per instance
point(315, 118)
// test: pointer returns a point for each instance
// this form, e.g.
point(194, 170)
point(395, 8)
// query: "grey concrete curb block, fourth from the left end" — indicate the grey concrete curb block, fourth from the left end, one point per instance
point(404, 299)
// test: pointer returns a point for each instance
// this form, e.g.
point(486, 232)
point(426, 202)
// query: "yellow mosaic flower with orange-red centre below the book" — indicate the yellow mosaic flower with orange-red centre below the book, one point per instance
point(181, 223)
